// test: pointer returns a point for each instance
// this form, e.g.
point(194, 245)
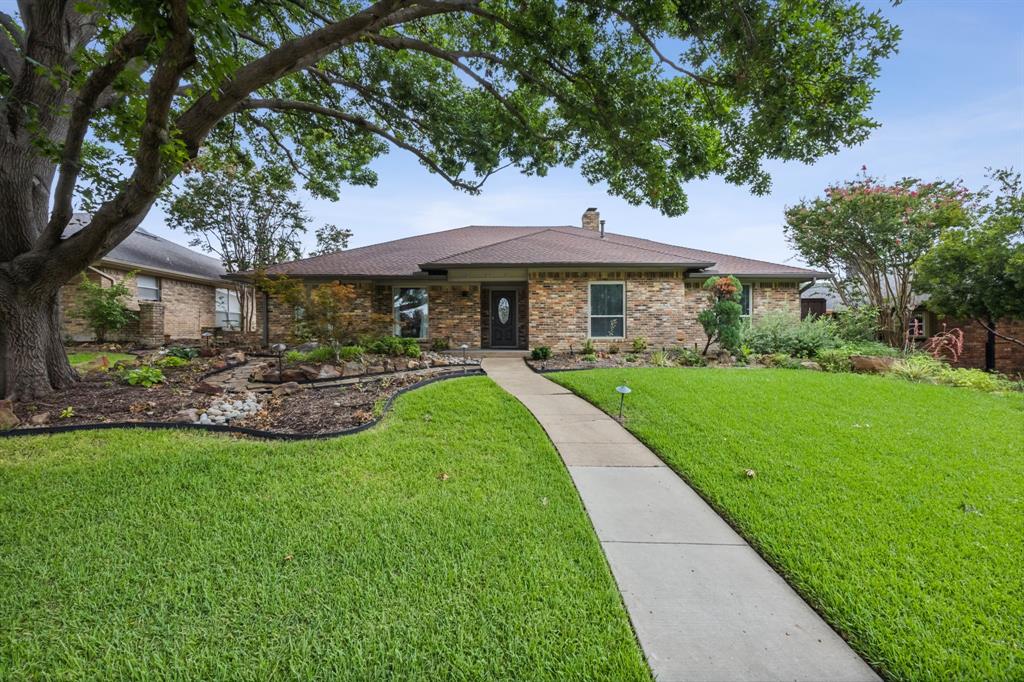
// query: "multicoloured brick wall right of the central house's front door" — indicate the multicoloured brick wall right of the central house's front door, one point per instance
point(660, 307)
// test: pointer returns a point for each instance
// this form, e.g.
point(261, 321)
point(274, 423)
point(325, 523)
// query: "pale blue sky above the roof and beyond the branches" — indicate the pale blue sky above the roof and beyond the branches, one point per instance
point(951, 104)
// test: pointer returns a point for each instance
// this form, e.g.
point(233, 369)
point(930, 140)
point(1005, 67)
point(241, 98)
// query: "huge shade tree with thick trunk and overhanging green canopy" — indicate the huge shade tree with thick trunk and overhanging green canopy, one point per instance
point(106, 102)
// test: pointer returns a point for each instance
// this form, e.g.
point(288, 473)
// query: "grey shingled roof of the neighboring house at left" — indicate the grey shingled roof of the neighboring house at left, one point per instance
point(145, 251)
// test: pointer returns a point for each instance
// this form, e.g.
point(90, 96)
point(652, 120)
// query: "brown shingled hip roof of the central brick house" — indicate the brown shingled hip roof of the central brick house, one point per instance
point(509, 246)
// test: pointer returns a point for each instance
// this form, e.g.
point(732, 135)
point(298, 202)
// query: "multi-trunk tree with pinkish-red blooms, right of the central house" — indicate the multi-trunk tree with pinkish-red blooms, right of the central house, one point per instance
point(868, 236)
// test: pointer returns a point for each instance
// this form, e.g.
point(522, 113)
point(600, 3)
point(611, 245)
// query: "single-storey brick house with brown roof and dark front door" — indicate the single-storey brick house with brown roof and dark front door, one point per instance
point(519, 288)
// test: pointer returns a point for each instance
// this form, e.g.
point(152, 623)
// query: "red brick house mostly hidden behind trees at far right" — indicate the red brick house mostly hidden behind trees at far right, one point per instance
point(982, 350)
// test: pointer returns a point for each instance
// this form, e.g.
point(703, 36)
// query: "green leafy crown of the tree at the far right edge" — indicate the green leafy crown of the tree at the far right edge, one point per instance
point(977, 272)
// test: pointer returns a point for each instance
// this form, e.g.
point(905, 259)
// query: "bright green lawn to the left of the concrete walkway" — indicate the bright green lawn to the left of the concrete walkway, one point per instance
point(448, 543)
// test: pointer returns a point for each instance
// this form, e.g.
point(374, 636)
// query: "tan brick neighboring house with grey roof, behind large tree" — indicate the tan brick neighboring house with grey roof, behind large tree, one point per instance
point(178, 292)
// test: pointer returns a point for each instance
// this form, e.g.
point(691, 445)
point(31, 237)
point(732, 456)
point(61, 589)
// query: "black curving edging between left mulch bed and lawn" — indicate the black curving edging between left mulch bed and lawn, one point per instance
point(226, 429)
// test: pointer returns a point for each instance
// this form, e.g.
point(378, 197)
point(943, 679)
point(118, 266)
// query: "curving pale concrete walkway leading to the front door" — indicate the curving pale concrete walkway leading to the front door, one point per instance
point(705, 606)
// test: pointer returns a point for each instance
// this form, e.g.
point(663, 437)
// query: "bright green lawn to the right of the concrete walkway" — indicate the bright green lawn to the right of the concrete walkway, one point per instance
point(898, 509)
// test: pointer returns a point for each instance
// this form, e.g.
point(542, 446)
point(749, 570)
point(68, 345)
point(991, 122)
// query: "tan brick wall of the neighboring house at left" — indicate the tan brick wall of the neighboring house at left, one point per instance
point(189, 307)
